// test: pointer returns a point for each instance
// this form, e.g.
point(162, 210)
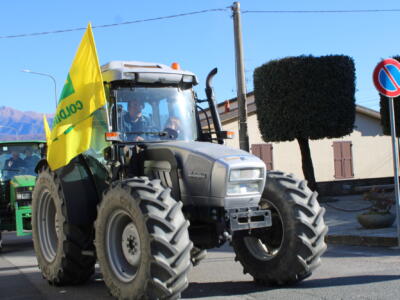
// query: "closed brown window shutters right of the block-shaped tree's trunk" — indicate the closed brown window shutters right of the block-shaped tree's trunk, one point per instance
point(343, 160)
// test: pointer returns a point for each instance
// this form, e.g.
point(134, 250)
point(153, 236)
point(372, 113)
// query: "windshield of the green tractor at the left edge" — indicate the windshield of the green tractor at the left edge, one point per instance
point(18, 159)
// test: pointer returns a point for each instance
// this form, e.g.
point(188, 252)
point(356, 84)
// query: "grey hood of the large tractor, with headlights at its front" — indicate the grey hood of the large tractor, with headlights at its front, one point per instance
point(205, 168)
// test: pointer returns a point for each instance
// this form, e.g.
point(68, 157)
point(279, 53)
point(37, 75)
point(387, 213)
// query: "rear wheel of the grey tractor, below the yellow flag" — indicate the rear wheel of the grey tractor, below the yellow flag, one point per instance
point(59, 245)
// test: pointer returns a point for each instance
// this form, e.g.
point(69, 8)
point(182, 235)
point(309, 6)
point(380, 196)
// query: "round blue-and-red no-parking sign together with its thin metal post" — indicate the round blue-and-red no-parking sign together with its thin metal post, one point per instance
point(387, 81)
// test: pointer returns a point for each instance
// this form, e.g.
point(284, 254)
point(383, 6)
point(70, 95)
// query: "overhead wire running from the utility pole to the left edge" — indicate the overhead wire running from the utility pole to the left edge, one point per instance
point(114, 24)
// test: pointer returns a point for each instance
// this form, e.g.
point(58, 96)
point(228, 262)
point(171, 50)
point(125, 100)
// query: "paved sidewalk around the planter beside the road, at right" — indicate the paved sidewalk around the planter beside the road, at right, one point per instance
point(345, 229)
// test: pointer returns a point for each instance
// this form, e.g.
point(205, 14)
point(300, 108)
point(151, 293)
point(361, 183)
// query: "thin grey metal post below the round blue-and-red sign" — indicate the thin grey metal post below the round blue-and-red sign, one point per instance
point(395, 165)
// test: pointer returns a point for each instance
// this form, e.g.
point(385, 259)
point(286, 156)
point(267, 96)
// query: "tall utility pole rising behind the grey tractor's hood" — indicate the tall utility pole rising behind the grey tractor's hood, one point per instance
point(240, 78)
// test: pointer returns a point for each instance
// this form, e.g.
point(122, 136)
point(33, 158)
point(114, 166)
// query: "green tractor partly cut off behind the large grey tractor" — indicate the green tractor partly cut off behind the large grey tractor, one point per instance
point(17, 178)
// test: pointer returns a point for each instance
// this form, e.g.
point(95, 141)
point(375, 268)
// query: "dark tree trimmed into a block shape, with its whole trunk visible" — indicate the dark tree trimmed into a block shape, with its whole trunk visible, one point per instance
point(305, 98)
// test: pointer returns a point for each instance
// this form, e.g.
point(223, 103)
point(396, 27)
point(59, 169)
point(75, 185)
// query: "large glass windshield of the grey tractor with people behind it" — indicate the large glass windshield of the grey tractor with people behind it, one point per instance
point(156, 114)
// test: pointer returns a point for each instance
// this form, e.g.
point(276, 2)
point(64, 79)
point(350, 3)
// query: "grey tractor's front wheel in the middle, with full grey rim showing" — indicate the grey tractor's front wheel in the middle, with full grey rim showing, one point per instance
point(142, 241)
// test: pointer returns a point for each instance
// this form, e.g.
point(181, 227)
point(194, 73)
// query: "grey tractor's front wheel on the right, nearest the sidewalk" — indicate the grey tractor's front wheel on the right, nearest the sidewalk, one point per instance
point(290, 250)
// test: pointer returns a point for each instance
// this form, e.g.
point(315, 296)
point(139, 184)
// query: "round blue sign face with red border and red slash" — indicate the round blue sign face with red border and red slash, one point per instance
point(387, 77)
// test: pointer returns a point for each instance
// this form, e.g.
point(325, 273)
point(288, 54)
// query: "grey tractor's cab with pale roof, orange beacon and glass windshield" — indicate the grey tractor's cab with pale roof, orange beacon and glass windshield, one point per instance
point(151, 102)
